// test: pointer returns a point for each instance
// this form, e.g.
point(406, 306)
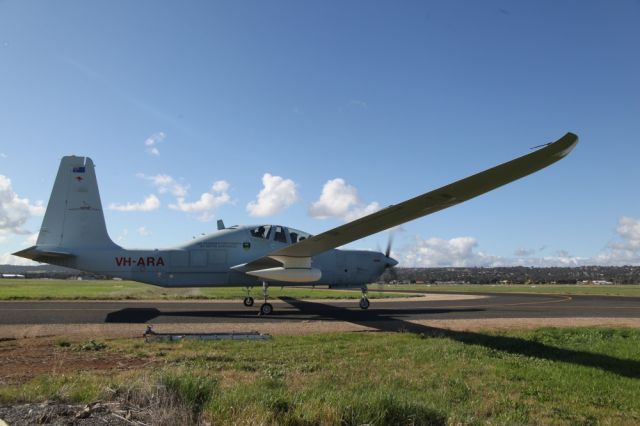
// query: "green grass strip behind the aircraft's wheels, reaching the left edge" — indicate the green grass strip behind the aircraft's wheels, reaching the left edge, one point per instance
point(33, 289)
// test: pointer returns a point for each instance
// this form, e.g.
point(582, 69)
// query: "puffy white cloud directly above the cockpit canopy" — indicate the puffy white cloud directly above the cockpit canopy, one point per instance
point(276, 195)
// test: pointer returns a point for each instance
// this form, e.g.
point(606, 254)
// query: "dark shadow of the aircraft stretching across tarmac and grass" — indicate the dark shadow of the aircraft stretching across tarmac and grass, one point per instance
point(389, 321)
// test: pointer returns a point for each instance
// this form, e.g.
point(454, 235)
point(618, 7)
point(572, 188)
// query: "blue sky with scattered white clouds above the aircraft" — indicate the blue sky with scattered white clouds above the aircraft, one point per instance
point(199, 107)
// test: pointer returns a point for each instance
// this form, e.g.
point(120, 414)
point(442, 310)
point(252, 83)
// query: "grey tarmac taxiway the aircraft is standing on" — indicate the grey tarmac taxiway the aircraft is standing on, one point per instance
point(290, 310)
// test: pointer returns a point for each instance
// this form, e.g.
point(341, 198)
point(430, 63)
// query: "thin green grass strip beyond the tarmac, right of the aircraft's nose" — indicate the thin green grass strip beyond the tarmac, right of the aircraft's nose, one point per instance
point(577, 289)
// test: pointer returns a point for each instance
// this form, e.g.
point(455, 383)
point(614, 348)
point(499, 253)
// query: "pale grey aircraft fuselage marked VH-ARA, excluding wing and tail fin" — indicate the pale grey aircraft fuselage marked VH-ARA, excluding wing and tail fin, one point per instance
point(207, 261)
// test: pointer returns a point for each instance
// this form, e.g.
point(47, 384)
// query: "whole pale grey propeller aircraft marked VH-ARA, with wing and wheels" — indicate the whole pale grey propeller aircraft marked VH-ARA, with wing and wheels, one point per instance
point(73, 234)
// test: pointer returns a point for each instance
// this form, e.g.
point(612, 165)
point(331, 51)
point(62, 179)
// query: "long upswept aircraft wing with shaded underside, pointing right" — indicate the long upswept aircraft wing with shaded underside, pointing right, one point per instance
point(433, 201)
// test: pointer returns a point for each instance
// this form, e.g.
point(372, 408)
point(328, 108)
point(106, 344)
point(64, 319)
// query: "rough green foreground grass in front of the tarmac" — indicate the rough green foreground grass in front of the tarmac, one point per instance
point(545, 376)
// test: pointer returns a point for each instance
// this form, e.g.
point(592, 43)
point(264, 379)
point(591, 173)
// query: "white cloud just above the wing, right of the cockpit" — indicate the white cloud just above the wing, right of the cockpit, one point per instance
point(338, 199)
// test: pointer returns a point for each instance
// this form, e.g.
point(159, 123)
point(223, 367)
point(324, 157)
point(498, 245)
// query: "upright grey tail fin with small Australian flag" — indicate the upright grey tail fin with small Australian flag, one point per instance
point(74, 217)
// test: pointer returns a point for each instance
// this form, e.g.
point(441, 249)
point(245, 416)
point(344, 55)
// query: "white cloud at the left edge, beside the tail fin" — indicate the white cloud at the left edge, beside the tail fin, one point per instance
point(15, 211)
